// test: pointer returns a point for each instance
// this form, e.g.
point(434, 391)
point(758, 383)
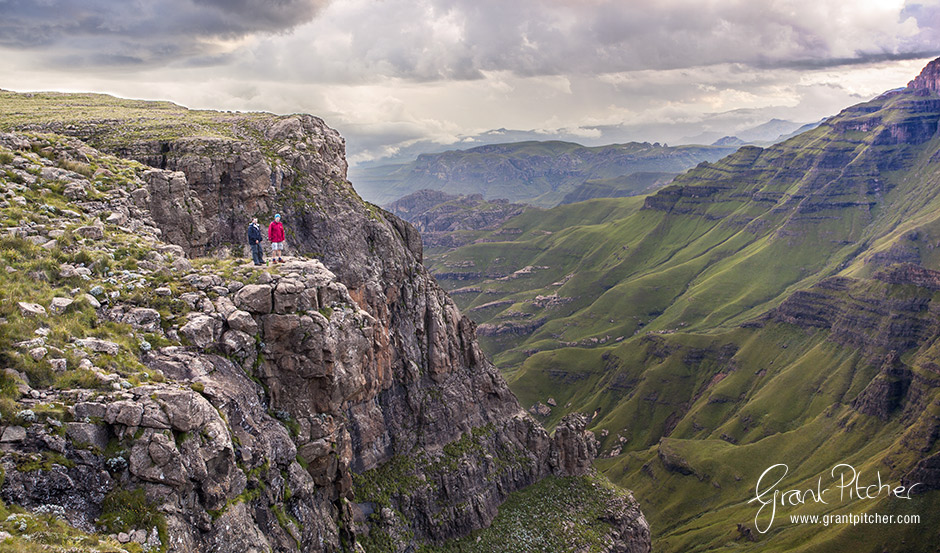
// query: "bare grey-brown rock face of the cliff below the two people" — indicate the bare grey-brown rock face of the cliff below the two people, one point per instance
point(331, 369)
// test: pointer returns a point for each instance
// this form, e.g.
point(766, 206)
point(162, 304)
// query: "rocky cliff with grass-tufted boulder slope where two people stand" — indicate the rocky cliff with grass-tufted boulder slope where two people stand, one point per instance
point(313, 406)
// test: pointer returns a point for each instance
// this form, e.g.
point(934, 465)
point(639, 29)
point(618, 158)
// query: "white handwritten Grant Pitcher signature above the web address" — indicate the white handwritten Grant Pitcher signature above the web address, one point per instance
point(847, 484)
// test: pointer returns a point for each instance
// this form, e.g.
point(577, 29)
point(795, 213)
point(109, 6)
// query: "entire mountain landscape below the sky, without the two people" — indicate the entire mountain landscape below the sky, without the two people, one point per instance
point(766, 313)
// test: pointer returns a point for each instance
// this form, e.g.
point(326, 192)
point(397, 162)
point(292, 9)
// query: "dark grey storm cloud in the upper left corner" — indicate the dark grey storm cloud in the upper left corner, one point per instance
point(100, 33)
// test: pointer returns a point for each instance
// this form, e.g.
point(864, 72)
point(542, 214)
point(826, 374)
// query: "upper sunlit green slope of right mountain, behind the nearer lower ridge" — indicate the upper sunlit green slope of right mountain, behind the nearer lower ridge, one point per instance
point(726, 242)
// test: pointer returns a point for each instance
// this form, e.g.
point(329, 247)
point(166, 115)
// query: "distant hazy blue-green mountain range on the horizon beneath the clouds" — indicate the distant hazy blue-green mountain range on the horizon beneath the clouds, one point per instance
point(538, 173)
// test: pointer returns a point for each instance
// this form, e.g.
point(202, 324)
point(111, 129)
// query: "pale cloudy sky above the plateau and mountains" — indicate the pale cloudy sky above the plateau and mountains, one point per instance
point(396, 75)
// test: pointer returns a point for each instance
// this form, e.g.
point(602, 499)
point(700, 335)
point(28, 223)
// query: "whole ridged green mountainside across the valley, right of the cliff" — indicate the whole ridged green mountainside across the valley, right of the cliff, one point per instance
point(777, 306)
